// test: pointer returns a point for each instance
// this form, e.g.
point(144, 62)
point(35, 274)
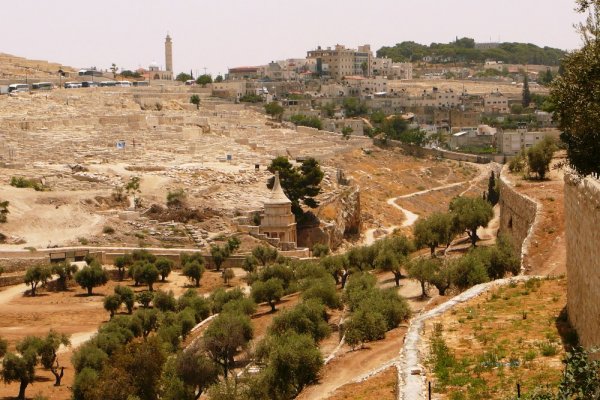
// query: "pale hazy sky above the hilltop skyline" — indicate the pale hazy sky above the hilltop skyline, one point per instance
point(229, 33)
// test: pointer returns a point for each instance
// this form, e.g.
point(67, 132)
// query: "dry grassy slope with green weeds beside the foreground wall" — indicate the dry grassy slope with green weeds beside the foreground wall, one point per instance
point(511, 335)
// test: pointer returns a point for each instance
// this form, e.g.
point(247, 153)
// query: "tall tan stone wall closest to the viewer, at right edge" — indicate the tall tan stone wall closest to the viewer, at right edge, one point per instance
point(582, 226)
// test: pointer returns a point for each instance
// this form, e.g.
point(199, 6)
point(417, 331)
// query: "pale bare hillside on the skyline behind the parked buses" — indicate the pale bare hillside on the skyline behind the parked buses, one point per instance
point(13, 67)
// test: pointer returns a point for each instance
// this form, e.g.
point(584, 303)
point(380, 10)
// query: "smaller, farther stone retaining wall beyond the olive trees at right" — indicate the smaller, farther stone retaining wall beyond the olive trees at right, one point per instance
point(517, 216)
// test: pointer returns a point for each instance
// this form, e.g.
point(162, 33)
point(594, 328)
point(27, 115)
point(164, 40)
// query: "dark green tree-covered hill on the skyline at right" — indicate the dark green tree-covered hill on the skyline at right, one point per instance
point(466, 51)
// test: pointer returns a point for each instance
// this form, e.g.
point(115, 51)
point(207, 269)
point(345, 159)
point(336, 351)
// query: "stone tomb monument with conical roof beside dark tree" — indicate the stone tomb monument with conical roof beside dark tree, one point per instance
point(278, 222)
